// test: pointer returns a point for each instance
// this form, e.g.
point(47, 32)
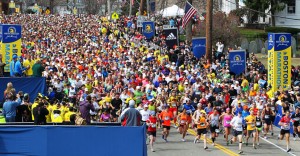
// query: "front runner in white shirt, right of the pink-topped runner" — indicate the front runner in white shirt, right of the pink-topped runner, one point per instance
point(237, 125)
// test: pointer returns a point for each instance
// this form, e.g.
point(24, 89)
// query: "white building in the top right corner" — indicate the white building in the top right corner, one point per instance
point(292, 10)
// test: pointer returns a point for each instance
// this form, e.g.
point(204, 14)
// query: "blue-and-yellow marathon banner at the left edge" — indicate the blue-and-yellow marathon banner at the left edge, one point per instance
point(11, 43)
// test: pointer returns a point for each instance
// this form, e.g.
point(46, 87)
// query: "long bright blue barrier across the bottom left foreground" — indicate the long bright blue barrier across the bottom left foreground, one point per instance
point(71, 140)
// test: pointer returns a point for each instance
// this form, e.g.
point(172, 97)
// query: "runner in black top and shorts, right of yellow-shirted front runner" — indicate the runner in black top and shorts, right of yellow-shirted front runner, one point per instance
point(267, 114)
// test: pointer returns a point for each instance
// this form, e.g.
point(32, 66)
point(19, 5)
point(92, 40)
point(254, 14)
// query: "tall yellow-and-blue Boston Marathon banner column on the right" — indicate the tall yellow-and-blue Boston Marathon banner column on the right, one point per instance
point(280, 59)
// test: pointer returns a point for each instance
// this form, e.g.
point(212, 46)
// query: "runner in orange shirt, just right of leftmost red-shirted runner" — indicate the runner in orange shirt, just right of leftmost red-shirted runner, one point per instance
point(166, 116)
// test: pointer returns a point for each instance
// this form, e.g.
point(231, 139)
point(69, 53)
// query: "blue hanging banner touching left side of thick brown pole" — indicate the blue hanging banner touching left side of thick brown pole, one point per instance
point(199, 46)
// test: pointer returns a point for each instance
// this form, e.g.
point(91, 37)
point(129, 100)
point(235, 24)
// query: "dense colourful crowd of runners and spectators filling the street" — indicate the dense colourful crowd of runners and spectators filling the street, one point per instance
point(87, 59)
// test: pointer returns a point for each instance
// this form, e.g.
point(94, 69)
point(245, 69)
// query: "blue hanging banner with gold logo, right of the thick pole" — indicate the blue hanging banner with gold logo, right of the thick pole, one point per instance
point(237, 61)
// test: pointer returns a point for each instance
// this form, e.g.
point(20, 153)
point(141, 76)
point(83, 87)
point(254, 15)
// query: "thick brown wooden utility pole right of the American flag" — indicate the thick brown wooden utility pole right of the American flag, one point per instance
point(209, 13)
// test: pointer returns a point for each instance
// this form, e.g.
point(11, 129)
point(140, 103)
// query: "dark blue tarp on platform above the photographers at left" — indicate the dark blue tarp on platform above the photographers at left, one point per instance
point(32, 86)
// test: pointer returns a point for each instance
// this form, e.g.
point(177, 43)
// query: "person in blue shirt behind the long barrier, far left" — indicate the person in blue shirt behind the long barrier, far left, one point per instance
point(10, 106)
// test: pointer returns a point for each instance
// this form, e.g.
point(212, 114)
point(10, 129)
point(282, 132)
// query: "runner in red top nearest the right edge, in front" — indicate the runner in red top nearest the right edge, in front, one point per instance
point(285, 129)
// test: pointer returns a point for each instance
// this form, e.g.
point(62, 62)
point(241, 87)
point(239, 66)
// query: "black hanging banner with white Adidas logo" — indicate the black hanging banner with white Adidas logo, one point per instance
point(171, 35)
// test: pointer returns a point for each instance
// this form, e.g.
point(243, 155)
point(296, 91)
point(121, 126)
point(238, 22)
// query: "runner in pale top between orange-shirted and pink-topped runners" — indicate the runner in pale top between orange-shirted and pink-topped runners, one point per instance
point(214, 125)
